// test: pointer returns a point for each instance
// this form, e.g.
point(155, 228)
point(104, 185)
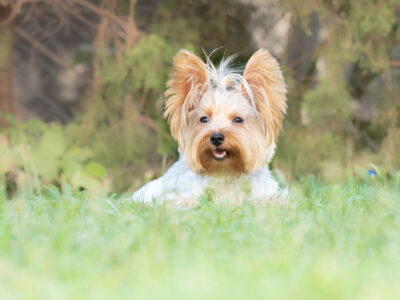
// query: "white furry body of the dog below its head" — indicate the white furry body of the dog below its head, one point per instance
point(179, 184)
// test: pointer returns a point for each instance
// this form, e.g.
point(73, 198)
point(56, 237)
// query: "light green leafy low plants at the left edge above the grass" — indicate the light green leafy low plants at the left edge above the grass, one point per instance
point(35, 157)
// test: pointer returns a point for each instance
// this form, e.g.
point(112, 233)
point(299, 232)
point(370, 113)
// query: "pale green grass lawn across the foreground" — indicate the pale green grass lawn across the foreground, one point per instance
point(338, 241)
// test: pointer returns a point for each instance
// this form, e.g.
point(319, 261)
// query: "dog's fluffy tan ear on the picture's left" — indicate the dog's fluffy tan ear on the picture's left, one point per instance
point(185, 86)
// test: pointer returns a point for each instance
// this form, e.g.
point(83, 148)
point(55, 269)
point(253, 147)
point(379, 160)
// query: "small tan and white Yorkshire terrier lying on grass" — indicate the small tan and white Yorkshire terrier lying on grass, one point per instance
point(226, 123)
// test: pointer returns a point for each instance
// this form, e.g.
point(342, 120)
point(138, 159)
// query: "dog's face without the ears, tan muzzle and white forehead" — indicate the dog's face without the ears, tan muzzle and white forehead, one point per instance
point(224, 135)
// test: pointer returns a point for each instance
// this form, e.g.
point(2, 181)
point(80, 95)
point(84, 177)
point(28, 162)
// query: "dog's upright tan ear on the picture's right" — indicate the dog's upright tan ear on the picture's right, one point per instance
point(265, 79)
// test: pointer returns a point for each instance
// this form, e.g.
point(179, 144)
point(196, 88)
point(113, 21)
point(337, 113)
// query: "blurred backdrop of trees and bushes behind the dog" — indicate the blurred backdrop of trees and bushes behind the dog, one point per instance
point(82, 82)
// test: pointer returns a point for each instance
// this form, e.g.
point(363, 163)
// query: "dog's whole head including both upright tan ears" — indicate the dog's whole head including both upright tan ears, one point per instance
point(224, 122)
